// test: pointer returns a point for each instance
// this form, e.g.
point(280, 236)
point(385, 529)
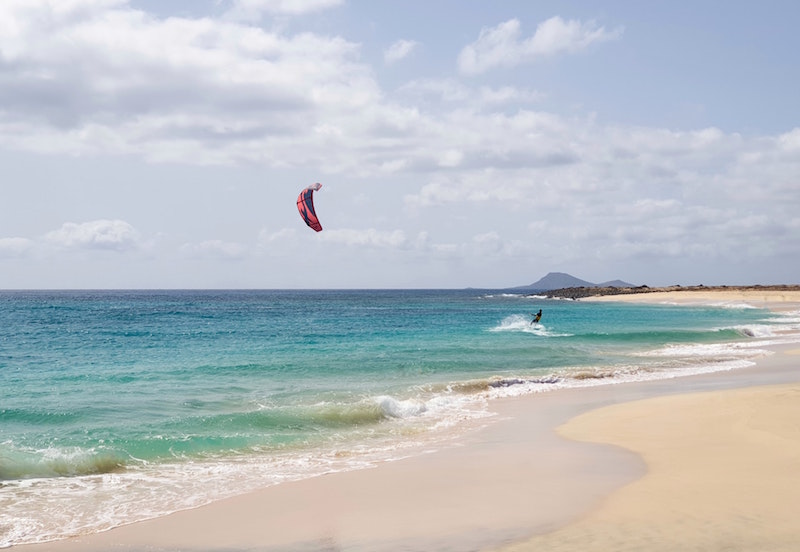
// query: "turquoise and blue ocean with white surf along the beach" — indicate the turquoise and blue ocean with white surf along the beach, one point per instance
point(119, 406)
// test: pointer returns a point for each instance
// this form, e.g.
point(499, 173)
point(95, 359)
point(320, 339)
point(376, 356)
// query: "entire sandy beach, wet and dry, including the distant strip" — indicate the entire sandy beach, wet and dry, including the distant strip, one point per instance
point(707, 462)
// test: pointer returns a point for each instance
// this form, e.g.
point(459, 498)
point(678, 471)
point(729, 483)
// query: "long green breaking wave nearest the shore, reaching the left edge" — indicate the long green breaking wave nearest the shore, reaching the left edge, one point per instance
point(221, 435)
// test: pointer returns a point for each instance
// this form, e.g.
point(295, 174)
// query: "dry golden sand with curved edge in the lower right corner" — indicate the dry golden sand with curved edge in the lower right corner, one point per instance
point(723, 475)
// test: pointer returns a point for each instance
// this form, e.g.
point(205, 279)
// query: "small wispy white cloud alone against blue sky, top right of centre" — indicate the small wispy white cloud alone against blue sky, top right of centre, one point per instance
point(501, 46)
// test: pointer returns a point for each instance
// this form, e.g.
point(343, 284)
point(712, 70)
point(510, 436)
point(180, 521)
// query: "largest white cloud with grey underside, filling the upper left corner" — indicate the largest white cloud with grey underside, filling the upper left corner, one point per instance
point(109, 79)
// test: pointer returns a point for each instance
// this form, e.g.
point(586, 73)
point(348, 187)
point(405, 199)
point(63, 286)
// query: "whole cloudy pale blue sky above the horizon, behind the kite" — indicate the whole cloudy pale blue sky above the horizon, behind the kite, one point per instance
point(459, 143)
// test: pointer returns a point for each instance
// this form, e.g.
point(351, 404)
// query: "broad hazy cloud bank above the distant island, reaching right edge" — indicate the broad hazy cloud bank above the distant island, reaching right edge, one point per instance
point(626, 192)
